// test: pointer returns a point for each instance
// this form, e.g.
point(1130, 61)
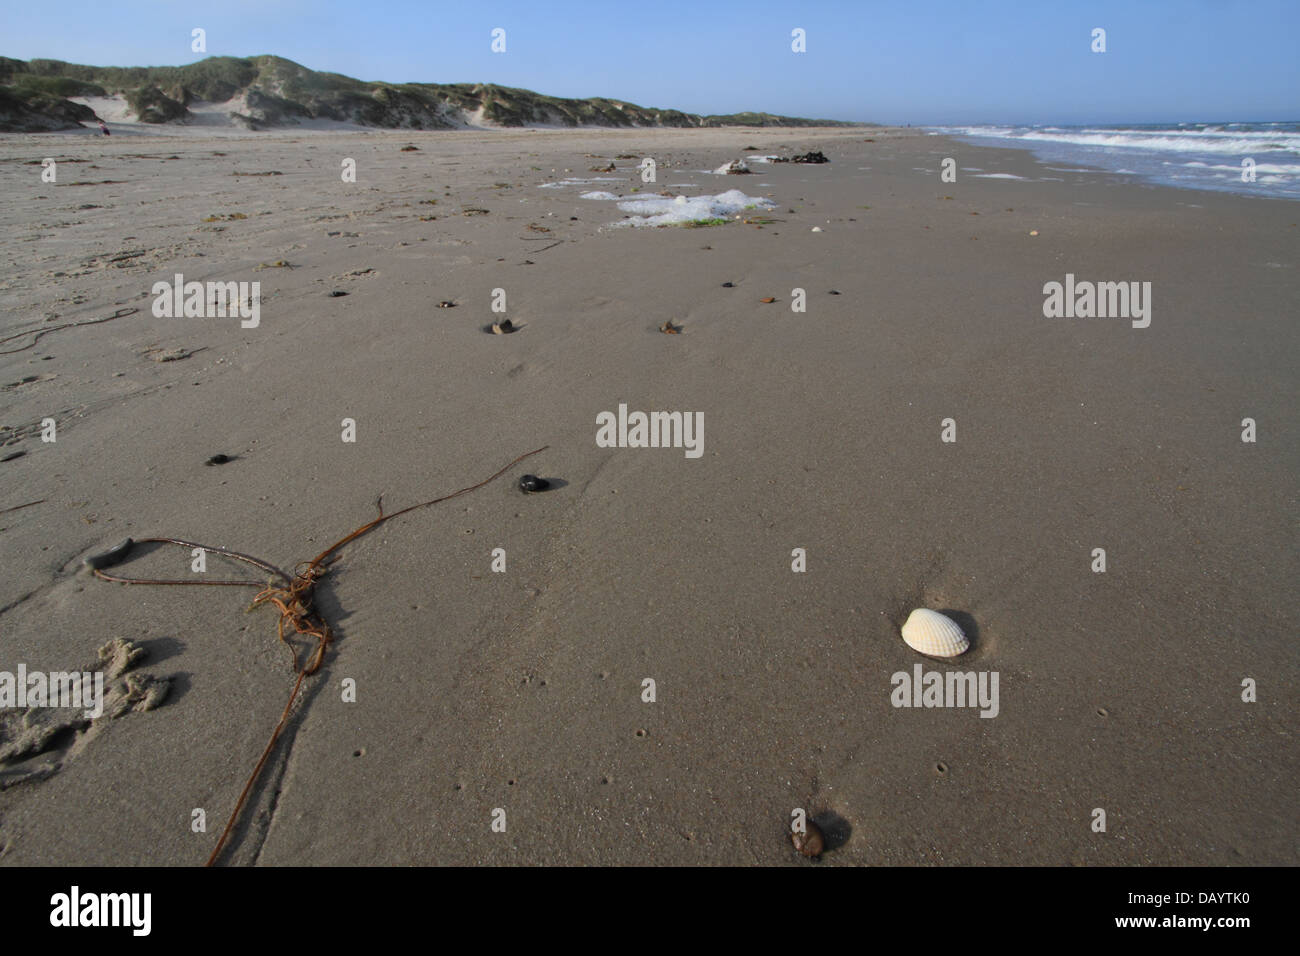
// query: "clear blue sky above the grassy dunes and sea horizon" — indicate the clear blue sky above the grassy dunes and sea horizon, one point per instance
point(946, 62)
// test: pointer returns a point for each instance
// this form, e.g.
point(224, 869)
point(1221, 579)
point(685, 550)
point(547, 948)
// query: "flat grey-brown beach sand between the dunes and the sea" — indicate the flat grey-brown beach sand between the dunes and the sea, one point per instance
point(523, 691)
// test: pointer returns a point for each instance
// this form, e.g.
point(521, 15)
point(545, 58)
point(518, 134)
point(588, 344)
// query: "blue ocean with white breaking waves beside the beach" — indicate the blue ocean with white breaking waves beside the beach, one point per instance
point(1191, 155)
